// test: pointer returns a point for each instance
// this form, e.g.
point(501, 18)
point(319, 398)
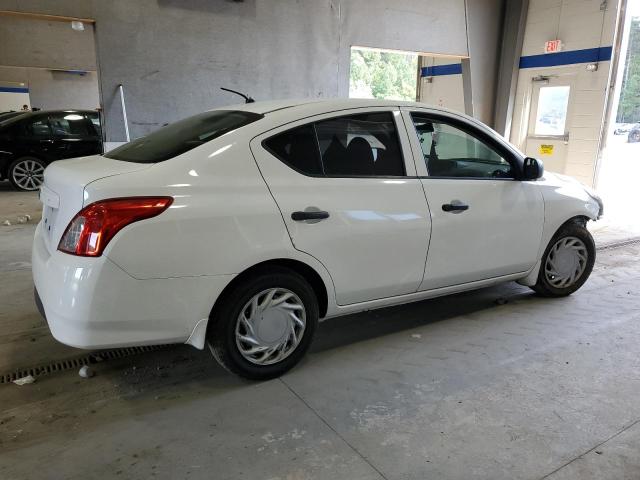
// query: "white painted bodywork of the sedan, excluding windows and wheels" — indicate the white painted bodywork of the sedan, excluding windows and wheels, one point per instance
point(158, 279)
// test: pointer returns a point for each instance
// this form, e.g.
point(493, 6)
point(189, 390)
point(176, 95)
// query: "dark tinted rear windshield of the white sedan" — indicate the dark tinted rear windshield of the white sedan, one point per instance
point(182, 136)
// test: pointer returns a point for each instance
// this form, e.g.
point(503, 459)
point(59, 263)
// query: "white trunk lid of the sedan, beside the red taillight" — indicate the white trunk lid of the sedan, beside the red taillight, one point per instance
point(62, 193)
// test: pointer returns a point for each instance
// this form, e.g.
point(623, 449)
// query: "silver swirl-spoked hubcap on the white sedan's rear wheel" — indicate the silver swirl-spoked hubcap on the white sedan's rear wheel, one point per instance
point(270, 326)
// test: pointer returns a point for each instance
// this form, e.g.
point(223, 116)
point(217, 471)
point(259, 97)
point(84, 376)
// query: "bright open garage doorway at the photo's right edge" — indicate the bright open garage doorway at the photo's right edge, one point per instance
point(619, 167)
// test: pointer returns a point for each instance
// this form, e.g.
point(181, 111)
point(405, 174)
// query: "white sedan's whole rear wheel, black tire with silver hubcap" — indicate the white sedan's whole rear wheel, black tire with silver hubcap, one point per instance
point(265, 325)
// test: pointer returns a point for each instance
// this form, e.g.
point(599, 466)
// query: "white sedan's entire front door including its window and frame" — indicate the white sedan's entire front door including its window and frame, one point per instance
point(484, 224)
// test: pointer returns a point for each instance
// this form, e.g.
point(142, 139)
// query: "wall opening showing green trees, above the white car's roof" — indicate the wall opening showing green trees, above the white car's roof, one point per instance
point(382, 74)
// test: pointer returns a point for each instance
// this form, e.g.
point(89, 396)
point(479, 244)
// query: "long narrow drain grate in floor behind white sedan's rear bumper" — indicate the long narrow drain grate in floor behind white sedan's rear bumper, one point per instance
point(74, 363)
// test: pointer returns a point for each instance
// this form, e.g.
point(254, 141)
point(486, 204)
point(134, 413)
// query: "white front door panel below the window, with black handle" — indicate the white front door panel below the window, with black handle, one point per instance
point(499, 234)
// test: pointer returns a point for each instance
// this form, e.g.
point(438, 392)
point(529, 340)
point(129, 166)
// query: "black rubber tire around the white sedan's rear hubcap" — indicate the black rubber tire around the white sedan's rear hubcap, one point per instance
point(221, 333)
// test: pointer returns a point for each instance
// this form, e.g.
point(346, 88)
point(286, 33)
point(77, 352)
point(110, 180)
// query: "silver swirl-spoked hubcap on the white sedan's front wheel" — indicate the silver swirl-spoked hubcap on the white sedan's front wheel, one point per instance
point(566, 262)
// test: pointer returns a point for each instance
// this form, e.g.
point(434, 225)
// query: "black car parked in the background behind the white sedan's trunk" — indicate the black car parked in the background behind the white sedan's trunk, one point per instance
point(32, 140)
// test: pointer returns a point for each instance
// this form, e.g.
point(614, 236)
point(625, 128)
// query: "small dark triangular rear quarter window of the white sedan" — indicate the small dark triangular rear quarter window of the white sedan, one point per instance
point(297, 148)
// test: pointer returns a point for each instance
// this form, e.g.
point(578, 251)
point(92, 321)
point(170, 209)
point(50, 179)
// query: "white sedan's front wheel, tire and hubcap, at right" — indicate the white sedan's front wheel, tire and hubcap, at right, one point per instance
point(567, 262)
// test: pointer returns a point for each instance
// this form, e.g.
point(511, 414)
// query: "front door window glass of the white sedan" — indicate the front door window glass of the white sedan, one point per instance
point(451, 152)
